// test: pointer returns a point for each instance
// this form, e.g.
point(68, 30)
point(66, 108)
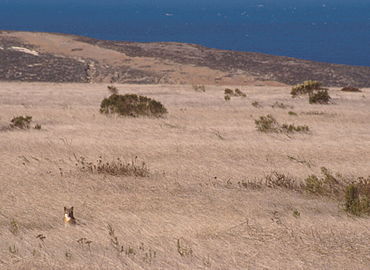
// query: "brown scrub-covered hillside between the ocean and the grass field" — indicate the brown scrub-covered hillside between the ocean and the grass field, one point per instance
point(47, 57)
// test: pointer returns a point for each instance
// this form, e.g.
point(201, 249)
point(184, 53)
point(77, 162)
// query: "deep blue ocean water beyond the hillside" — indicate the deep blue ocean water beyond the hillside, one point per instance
point(336, 31)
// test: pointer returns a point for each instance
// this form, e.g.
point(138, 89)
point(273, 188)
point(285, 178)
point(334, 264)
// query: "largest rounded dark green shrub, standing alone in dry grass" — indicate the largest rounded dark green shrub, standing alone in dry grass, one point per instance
point(132, 105)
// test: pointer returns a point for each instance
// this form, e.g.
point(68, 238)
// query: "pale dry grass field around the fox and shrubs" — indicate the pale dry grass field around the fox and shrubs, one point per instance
point(193, 210)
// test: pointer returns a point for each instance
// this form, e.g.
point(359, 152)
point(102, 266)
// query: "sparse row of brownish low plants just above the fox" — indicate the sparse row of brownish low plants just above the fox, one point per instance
point(116, 167)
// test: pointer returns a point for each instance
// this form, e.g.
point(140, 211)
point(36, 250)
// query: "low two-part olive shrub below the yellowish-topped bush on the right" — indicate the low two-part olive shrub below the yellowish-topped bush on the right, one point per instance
point(269, 124)
